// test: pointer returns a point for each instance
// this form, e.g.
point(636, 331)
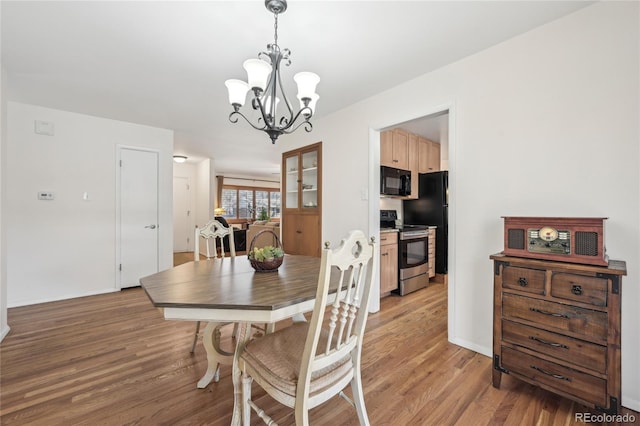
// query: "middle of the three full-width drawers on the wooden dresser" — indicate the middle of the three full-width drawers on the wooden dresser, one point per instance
point(579, 352)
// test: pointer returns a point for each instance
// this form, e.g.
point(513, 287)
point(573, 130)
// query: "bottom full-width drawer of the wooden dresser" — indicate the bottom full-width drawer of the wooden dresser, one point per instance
point(567, 380)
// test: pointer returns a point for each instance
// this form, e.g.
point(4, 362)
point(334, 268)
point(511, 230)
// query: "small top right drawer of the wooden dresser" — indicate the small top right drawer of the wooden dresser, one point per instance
point(580, 288)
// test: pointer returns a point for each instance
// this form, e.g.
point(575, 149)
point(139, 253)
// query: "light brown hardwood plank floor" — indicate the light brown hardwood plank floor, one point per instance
point(113, 360)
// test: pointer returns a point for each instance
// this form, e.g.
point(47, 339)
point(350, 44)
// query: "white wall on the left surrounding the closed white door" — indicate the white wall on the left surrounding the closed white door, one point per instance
point(66, 247)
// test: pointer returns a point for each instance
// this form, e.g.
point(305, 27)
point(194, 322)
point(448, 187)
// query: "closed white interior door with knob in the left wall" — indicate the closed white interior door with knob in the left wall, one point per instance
point(138, 196)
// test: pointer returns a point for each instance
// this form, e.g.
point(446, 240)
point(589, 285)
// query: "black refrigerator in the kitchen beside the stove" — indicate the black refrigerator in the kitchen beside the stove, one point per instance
point(432, 208)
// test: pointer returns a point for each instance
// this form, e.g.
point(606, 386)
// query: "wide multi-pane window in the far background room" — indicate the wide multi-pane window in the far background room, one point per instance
point(242, 203)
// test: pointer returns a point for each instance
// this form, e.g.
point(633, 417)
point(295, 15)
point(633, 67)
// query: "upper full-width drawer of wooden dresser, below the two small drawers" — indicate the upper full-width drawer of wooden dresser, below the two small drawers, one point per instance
point(583, 323)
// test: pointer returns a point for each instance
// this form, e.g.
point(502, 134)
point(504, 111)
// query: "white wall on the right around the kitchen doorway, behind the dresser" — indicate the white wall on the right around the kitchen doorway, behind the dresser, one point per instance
point(545, 124)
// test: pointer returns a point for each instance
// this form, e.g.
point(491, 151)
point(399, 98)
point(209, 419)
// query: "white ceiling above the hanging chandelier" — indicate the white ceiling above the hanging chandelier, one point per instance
point(164, 64)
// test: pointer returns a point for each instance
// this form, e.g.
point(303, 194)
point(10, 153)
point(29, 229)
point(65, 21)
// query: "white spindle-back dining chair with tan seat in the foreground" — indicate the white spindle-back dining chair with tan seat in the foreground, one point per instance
point(307, 363)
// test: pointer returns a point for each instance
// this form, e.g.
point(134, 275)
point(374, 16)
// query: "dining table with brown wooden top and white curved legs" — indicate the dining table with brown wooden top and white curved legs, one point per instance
point(230, 290)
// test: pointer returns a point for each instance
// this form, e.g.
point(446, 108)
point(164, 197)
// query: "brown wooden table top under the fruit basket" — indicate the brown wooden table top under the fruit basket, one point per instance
point(231, 283)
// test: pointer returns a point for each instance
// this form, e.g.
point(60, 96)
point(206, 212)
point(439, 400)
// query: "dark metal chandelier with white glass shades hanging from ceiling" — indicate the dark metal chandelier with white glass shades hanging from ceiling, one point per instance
point(263, 75)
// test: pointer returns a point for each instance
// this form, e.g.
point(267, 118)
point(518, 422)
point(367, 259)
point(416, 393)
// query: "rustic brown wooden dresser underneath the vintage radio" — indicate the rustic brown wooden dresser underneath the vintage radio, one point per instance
point(557, 325)
